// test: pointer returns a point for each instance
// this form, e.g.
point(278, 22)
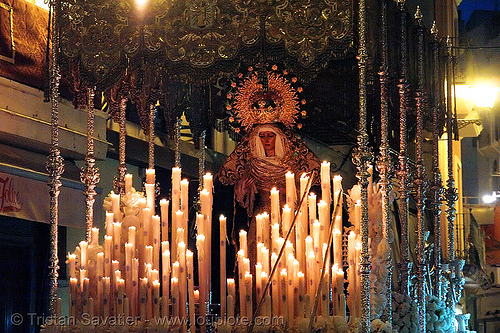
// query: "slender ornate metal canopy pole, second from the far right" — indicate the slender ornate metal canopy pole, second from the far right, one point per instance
point(437, 184)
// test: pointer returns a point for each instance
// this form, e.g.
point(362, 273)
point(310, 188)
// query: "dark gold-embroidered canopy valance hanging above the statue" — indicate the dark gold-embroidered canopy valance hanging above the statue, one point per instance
point(104, 39)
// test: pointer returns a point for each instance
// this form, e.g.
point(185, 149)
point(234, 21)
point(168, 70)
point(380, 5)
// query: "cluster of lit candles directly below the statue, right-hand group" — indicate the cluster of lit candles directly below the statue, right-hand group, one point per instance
point(296, 277)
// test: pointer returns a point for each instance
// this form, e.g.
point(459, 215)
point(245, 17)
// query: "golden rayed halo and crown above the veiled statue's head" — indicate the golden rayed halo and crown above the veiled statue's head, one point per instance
point(279, 104)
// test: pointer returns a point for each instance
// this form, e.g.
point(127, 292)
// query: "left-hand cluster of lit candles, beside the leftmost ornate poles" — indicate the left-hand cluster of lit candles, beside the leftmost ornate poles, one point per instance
point(122, 277)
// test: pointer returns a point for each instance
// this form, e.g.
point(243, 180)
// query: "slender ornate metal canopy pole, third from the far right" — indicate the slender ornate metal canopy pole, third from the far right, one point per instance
point(420, 182)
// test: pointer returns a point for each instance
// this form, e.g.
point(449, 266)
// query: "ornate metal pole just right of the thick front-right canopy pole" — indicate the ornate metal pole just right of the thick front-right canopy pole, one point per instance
point(384, 163)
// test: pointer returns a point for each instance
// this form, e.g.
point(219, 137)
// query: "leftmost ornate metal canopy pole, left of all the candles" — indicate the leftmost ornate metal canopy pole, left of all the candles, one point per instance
point(55, 162)
